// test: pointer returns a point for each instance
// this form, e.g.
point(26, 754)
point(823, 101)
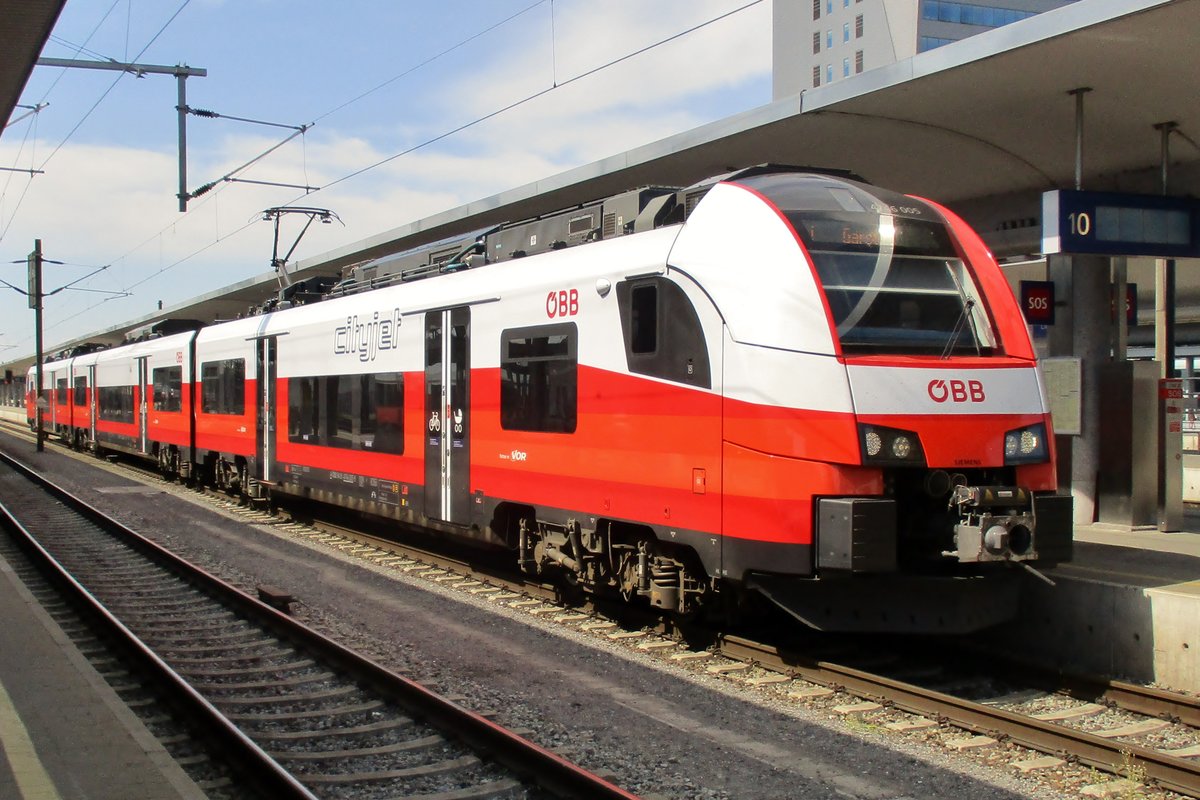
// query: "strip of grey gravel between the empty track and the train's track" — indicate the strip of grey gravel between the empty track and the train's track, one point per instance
point(661, 727)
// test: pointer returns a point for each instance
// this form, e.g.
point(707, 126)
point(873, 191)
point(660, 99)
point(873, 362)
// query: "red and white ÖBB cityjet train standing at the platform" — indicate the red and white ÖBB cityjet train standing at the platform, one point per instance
point(777, 389)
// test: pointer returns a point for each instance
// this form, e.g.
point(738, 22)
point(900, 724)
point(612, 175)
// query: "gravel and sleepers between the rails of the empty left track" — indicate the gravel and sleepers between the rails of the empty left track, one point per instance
point(86, 552)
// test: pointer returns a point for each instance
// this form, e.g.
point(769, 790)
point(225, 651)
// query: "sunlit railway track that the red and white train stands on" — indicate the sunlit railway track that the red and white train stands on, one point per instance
point(1072, 731)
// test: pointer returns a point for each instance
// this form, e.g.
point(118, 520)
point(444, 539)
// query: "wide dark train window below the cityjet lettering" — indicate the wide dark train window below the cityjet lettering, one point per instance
point(352, 412)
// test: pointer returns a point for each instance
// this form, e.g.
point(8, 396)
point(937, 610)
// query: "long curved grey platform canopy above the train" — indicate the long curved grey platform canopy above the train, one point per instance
point(982, 119)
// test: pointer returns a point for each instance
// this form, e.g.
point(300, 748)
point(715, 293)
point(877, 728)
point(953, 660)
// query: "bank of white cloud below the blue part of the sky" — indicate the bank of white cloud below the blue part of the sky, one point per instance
point(100, 203)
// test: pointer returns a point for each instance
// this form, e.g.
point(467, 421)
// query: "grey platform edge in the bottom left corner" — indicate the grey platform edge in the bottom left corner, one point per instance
point(64, 732)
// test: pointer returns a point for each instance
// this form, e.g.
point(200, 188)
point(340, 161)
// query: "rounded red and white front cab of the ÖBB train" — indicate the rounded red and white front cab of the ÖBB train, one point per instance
point(886, 431)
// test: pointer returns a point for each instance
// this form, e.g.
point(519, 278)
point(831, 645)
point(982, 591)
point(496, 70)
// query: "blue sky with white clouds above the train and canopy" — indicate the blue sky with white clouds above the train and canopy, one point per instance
point(406, 105)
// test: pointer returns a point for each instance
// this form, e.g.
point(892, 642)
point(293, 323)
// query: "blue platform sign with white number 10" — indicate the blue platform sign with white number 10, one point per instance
point(1108, 224)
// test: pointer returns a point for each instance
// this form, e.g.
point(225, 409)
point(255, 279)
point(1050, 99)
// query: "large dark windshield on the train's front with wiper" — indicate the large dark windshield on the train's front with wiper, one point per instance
point(895, 284)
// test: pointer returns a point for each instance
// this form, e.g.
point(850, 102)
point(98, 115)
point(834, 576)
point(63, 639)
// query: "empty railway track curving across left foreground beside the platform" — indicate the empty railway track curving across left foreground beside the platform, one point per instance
point(297, 714)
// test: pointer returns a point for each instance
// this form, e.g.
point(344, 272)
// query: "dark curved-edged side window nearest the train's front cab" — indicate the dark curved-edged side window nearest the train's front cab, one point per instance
point(663, 334)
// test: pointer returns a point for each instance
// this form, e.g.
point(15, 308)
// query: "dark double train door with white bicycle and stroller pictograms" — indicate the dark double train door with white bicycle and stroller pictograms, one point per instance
point(448, 416)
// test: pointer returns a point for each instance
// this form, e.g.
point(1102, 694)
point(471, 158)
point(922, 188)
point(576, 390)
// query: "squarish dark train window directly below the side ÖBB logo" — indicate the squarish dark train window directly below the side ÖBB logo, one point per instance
point(539, 378)
